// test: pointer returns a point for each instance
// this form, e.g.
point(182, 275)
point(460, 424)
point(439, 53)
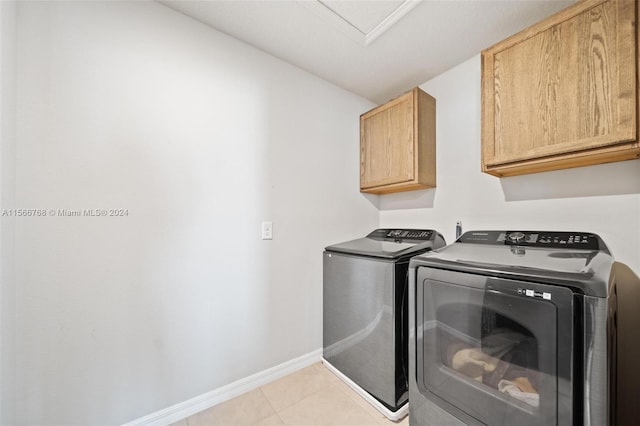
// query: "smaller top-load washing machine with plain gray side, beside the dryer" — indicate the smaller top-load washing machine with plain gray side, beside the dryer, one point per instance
point(365, 313)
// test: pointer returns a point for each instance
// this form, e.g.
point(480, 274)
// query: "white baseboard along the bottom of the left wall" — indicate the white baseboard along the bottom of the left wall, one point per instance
point(199, 403)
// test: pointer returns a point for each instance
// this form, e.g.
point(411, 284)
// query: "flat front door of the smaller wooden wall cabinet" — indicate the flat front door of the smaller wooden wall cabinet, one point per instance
point(387, 143)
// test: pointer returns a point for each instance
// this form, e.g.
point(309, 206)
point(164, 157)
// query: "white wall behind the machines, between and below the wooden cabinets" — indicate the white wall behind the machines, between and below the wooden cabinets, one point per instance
point(603, 199)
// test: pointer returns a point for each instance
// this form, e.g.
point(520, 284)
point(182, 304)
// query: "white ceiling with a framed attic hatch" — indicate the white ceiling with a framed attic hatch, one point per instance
point(375, 49)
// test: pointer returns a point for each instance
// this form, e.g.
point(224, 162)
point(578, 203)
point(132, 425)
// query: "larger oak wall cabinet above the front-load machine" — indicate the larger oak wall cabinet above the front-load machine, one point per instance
point(563, 93)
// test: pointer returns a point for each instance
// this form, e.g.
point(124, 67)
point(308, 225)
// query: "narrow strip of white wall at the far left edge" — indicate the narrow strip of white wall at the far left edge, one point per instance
point(7, 198)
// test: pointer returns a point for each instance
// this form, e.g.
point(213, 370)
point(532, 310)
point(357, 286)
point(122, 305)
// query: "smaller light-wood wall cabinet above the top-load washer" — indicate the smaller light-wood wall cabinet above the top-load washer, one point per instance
point(398, 145)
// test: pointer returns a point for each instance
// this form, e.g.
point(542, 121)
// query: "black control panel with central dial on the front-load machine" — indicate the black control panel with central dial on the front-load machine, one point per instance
point(546, 239)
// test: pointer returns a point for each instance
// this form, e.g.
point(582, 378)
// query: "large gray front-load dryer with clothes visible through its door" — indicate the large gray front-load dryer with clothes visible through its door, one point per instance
point(523, 328)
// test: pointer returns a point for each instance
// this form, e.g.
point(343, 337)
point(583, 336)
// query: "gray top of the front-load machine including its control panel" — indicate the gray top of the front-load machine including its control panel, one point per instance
point(578, 260)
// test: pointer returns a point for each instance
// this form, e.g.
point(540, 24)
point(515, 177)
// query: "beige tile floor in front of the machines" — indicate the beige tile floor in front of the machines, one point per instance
point(312, 396)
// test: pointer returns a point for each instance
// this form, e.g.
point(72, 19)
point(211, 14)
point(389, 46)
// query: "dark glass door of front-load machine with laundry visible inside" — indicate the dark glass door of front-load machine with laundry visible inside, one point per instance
point(495, 351)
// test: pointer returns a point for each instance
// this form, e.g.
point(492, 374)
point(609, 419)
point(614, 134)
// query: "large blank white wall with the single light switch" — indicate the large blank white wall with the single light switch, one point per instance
point(131, 105)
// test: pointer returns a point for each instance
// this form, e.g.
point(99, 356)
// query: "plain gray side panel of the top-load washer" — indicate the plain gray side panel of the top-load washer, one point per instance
point(359, 322)
